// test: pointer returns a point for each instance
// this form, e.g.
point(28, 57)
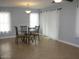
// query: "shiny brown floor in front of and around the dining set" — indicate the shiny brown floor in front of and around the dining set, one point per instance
point(44, 49)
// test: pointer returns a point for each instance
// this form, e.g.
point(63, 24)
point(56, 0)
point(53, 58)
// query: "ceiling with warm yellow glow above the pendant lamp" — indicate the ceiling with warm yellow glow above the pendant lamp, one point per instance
point(36, 4)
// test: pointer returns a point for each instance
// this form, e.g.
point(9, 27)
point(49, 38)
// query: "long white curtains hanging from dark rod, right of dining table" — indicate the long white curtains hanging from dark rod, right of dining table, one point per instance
point(49, 21)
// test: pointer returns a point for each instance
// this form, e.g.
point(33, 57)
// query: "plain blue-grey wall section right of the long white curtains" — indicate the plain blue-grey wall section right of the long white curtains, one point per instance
point(67, 24)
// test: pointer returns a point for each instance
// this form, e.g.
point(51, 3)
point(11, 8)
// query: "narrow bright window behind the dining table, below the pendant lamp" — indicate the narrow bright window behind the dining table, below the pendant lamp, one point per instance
point(34, 19)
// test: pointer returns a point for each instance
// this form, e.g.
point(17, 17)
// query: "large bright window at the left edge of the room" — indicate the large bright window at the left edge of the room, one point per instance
point(4, 21)
